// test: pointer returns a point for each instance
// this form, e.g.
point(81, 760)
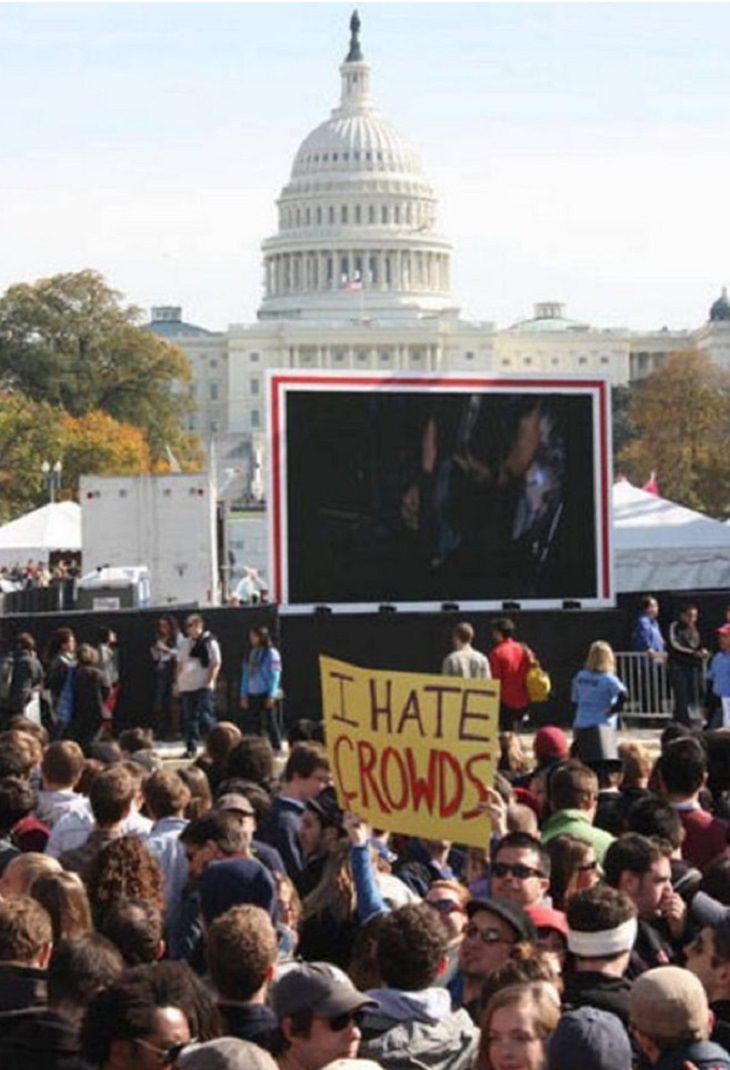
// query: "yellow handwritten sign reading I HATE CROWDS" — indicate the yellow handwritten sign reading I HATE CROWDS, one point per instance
point(413, 753)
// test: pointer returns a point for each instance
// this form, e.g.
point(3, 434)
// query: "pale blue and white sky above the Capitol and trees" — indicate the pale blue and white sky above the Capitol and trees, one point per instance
point(581, 152)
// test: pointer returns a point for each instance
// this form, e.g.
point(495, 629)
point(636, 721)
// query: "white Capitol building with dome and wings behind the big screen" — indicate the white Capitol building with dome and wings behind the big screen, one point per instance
point(358, 277)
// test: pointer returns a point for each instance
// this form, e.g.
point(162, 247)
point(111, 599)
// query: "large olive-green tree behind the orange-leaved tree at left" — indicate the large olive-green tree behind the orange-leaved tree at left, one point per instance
point(70, 342)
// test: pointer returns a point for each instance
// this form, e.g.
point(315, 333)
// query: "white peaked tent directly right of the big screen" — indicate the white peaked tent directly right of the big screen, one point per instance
point(661, 546)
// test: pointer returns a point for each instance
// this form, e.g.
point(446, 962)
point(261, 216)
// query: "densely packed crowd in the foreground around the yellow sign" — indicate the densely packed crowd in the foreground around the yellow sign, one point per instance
point(215, 915)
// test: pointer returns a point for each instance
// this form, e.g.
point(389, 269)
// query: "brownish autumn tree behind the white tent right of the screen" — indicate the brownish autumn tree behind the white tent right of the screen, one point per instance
point(682, 417)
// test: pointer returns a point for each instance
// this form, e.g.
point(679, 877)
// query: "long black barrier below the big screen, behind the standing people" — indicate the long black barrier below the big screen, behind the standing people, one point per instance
point(412, 643)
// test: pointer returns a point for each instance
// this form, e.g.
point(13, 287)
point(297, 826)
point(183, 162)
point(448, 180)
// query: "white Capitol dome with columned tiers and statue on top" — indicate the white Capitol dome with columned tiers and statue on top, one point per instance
point(357, 233)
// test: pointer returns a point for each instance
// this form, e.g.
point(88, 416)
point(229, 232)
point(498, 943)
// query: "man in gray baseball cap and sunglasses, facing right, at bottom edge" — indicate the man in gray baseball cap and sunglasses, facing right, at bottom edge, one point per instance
point(318, 1012)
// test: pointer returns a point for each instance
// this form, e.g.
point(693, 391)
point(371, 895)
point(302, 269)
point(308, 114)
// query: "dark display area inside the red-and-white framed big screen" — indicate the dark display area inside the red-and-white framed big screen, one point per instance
point(408, 496)
